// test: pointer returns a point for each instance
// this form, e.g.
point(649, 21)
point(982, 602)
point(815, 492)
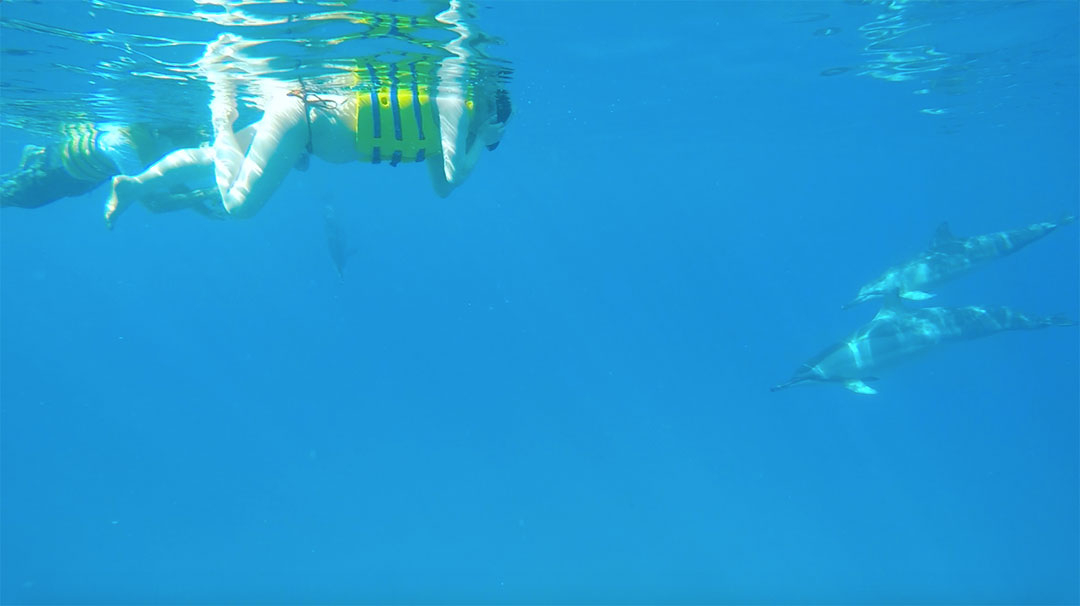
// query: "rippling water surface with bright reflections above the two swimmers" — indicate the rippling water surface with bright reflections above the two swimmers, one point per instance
point(151, 70)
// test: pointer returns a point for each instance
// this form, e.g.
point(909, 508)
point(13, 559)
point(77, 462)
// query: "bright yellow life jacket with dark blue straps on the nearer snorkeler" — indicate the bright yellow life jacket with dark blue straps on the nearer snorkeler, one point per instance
point(397, 118)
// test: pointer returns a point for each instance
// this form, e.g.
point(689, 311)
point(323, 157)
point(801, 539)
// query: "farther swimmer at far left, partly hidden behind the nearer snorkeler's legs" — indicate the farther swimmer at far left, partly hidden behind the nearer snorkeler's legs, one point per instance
point(89, 155)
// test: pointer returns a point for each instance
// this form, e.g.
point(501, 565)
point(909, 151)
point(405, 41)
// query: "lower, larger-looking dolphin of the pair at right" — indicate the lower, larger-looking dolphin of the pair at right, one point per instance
point(898, 334)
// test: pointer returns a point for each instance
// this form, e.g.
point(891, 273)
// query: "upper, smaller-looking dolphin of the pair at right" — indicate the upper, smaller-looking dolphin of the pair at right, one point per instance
point(950, 257)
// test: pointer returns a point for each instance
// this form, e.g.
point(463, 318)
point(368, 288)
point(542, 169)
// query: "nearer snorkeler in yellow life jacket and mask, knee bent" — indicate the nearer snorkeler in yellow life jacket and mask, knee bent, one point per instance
point(406, 116)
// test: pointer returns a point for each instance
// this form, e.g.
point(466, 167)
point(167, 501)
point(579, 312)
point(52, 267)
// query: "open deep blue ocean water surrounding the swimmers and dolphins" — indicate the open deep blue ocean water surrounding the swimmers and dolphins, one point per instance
point(553, 387)
